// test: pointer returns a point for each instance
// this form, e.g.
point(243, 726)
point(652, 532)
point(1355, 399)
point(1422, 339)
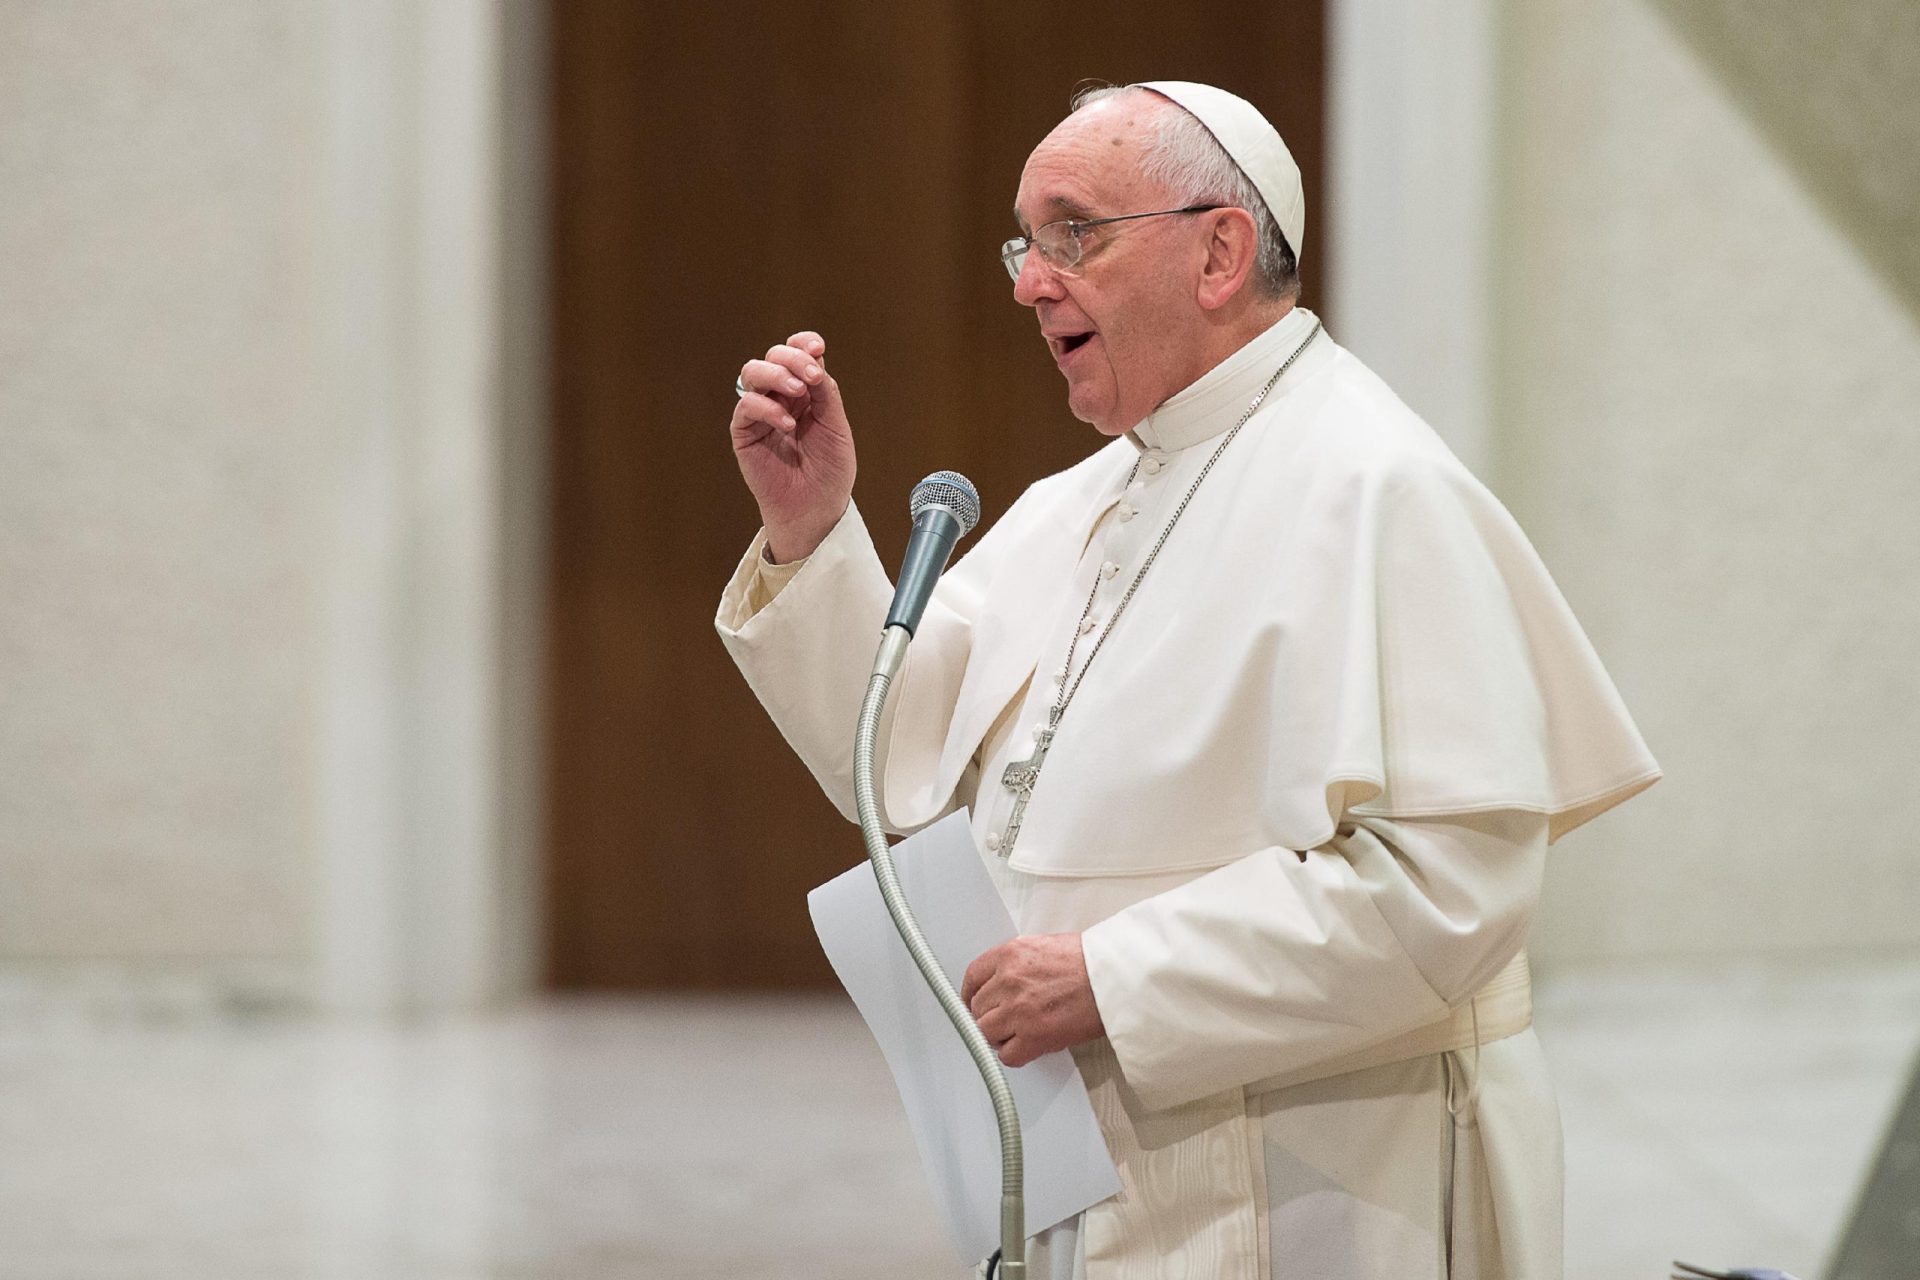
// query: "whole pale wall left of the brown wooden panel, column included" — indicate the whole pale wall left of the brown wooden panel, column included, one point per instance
point(258, 396)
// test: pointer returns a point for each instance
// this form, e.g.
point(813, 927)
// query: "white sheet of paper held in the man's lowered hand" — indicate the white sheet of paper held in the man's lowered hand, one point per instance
point(948, 1106)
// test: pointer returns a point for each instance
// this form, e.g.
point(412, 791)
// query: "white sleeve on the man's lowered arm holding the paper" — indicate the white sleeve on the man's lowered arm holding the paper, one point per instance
point(1284, 960)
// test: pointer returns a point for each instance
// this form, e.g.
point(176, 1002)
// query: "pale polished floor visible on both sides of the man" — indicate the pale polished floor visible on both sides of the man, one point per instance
point(1719, 1114)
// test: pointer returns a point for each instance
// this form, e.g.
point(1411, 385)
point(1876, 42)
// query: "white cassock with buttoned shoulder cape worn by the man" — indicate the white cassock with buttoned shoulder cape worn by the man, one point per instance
point(1299, 813)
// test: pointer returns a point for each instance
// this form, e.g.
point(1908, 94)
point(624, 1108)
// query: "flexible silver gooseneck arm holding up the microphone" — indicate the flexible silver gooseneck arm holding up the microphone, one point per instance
point(894, 644)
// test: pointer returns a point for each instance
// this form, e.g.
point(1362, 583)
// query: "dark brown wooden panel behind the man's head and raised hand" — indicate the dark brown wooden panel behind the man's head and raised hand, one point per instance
point(723, 178)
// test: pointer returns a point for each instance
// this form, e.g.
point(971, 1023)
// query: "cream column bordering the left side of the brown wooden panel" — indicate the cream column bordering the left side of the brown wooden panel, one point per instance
point(427, 792)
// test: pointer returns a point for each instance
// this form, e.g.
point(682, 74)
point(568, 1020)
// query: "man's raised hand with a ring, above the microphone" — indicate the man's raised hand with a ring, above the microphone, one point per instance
point(794, 444)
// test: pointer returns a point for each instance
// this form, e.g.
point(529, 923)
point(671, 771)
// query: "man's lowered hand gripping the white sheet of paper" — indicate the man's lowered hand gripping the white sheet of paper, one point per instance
point(1032, 997)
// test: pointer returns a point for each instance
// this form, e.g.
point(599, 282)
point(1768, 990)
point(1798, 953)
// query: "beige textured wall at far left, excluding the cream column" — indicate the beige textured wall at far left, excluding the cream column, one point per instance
point(160, 427)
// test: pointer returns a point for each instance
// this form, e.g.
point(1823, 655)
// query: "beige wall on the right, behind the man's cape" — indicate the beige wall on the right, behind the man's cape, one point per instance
point(1708, 383)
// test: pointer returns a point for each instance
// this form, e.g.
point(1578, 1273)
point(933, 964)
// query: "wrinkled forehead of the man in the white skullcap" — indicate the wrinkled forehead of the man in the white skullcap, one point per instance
point(1090, 166)
